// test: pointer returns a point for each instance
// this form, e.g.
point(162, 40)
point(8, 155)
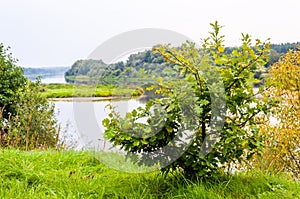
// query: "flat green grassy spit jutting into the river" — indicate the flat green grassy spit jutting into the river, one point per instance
point(84, 90)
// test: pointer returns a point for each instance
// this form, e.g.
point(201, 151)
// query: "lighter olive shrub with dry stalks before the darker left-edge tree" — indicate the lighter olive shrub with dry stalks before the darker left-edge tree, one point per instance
point(32, 125)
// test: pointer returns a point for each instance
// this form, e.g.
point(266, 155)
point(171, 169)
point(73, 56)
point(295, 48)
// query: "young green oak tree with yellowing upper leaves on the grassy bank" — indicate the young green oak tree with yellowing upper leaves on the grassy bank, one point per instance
point(191, 128)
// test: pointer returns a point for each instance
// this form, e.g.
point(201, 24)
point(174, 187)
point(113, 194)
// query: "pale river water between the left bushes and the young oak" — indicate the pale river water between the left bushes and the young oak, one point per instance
point(81, 122)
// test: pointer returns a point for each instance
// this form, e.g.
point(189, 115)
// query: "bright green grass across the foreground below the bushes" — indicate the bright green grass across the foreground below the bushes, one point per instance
point(69, 174)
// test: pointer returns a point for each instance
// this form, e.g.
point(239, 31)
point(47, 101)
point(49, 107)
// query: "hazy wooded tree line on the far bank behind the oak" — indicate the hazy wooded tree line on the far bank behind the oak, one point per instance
point(143, 67)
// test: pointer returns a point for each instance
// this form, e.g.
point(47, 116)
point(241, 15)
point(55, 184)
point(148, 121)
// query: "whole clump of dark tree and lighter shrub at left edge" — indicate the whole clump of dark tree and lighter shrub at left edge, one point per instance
point(26, 118)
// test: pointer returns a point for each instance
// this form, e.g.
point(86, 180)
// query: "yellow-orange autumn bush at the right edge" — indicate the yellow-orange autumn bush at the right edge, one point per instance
point(283, 144)
